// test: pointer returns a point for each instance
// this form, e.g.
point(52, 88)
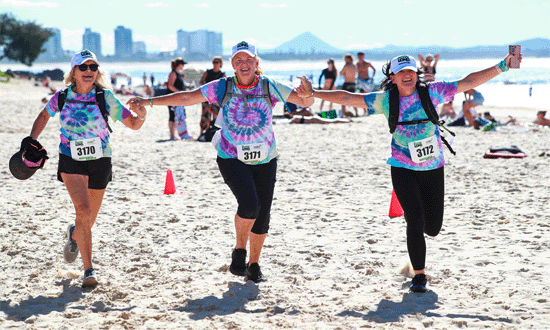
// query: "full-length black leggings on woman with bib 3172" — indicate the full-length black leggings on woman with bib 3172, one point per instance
point(421, 195)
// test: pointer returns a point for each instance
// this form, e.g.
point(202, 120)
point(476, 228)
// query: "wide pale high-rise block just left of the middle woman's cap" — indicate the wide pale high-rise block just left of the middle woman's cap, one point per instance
point(199, 42)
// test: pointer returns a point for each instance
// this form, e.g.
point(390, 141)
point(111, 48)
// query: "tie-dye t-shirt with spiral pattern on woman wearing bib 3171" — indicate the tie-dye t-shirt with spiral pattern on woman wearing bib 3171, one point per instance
point(239, 126)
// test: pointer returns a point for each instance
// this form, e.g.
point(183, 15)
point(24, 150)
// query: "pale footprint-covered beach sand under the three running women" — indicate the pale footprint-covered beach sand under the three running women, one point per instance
point(333, 257)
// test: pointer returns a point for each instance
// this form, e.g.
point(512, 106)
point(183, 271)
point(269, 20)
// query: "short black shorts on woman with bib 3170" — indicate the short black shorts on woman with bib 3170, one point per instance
point(99, 171)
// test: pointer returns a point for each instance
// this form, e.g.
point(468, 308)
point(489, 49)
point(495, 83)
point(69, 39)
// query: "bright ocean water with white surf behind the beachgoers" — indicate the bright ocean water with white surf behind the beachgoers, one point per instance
point(507, 89)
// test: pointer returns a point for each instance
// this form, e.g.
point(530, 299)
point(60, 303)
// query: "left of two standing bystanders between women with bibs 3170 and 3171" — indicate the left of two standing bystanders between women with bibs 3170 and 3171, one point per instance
point(176, 84)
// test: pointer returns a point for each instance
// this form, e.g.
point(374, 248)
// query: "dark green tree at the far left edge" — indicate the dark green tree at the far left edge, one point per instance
point(21, 41)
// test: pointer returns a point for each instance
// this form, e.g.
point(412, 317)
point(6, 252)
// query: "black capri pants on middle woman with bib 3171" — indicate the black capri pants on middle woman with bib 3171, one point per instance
point(253, 186)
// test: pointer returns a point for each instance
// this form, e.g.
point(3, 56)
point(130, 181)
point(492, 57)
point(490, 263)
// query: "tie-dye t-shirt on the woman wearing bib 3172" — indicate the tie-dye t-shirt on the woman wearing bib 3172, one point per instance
point(411, 109)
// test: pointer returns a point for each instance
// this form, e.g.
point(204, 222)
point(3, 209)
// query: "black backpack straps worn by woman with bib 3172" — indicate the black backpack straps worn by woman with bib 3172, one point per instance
point(429, 109)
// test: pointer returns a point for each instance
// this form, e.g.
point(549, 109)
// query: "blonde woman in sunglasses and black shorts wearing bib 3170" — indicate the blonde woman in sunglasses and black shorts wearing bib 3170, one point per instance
point(84, 152)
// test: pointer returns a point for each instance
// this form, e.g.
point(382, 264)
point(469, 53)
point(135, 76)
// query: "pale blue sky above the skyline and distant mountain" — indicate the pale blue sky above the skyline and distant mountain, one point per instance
point(348, 25)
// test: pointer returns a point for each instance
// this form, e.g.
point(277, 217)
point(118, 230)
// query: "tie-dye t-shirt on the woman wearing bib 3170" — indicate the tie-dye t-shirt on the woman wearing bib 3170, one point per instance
point(82, 121)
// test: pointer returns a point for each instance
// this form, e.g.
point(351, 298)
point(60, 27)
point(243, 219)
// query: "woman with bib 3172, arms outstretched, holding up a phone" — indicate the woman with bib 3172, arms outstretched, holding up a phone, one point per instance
point(417, 159)
